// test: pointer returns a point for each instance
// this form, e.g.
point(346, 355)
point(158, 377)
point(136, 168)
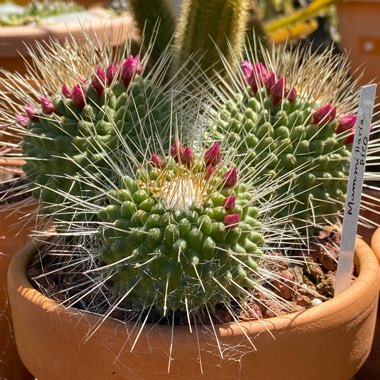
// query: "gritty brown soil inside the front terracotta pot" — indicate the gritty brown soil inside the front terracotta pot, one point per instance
point(300, 285)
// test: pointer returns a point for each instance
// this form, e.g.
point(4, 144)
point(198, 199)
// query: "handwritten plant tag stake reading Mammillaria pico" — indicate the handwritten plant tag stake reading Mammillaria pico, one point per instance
point(354, 188)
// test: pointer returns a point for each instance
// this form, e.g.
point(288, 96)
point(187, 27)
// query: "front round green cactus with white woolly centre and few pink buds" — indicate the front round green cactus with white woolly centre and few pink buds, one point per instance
point(177, 239)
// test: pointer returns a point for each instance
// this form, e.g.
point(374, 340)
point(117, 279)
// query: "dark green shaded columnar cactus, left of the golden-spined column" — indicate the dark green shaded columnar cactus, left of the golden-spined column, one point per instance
point(155, 22)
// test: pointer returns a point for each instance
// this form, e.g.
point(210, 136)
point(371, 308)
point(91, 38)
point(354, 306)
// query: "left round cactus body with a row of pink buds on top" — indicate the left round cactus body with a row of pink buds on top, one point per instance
point(75, 145)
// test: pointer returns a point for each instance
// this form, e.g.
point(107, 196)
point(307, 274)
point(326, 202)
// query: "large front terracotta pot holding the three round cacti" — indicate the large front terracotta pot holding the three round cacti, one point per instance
point(330, 341)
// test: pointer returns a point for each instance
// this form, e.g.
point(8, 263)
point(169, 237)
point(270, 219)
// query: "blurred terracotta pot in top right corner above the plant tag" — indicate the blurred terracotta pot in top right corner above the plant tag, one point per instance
point(358, 22)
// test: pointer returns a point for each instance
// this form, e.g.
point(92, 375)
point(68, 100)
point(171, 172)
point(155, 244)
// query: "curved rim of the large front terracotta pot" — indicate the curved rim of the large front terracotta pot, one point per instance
point(364, 290)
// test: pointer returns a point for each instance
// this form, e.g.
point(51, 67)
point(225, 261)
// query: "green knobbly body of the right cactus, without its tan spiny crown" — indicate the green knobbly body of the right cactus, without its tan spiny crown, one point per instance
point(278, 133)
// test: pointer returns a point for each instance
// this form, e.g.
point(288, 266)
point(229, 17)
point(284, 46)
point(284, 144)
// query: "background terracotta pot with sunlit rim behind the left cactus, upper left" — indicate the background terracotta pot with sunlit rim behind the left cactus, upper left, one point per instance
point(15, 40)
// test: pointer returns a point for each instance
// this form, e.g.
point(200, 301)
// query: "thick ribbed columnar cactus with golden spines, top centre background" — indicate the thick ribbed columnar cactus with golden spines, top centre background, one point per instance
point(208, 26)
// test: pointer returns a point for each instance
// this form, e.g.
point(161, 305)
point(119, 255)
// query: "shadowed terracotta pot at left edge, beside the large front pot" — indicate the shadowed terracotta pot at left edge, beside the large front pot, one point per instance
point(13, 236)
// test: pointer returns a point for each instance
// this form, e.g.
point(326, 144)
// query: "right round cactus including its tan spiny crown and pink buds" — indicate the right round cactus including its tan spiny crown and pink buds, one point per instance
point(285, 124)
